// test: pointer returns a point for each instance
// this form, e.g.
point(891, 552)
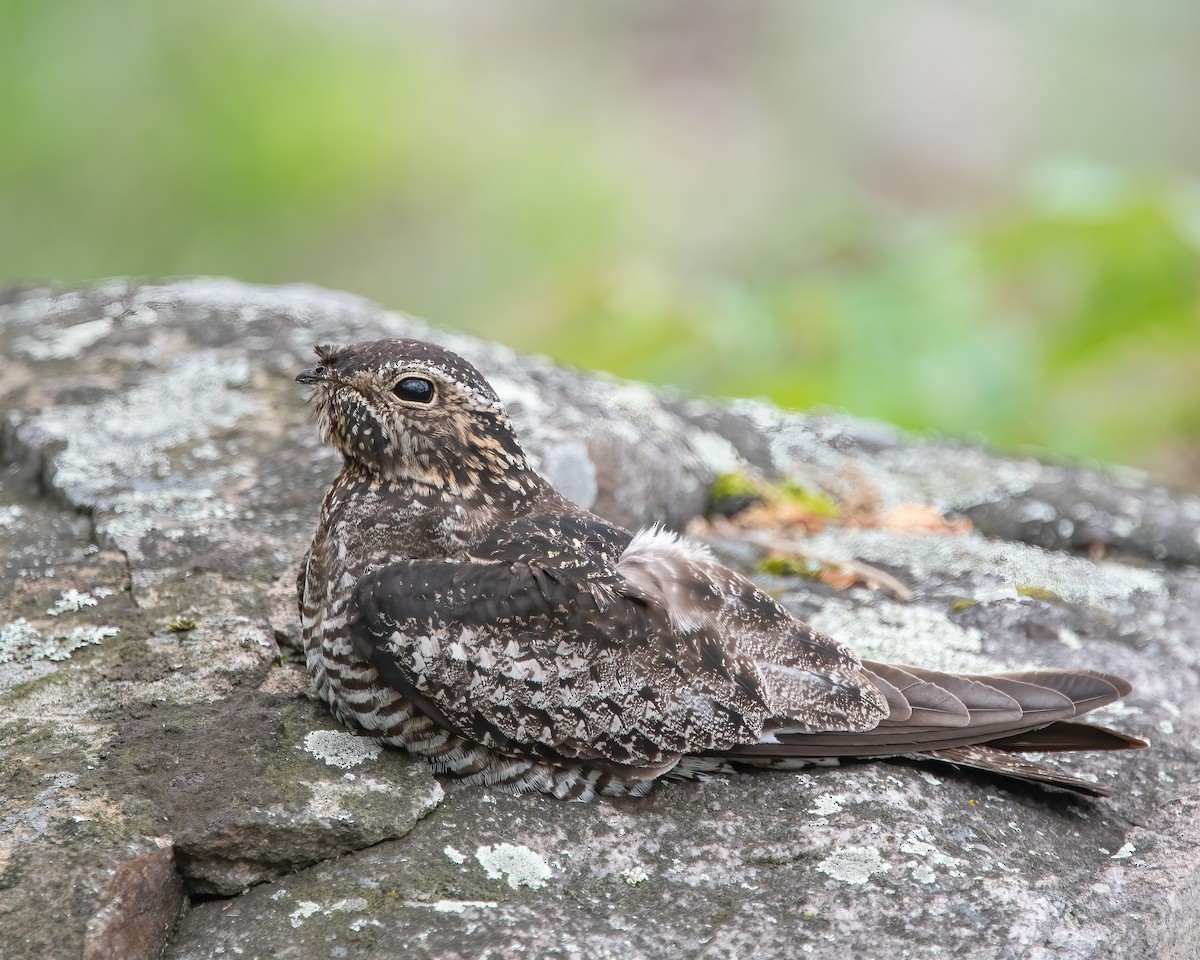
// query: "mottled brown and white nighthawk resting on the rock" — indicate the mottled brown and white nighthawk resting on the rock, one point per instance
point(454, 604)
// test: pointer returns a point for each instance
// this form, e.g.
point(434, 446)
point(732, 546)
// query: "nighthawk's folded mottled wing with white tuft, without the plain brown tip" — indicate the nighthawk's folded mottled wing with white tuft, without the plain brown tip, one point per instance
point(634, 662)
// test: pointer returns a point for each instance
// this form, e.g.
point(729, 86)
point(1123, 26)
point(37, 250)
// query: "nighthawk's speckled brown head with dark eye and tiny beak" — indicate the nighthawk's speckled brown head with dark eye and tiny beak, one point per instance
point(404, 411)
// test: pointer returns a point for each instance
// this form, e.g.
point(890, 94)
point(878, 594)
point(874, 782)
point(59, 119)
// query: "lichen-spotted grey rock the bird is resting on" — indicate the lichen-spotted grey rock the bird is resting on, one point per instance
point(164, 771)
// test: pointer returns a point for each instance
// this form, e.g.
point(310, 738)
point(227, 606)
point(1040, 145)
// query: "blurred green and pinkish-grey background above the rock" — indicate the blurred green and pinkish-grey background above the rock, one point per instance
point(970, 218)
